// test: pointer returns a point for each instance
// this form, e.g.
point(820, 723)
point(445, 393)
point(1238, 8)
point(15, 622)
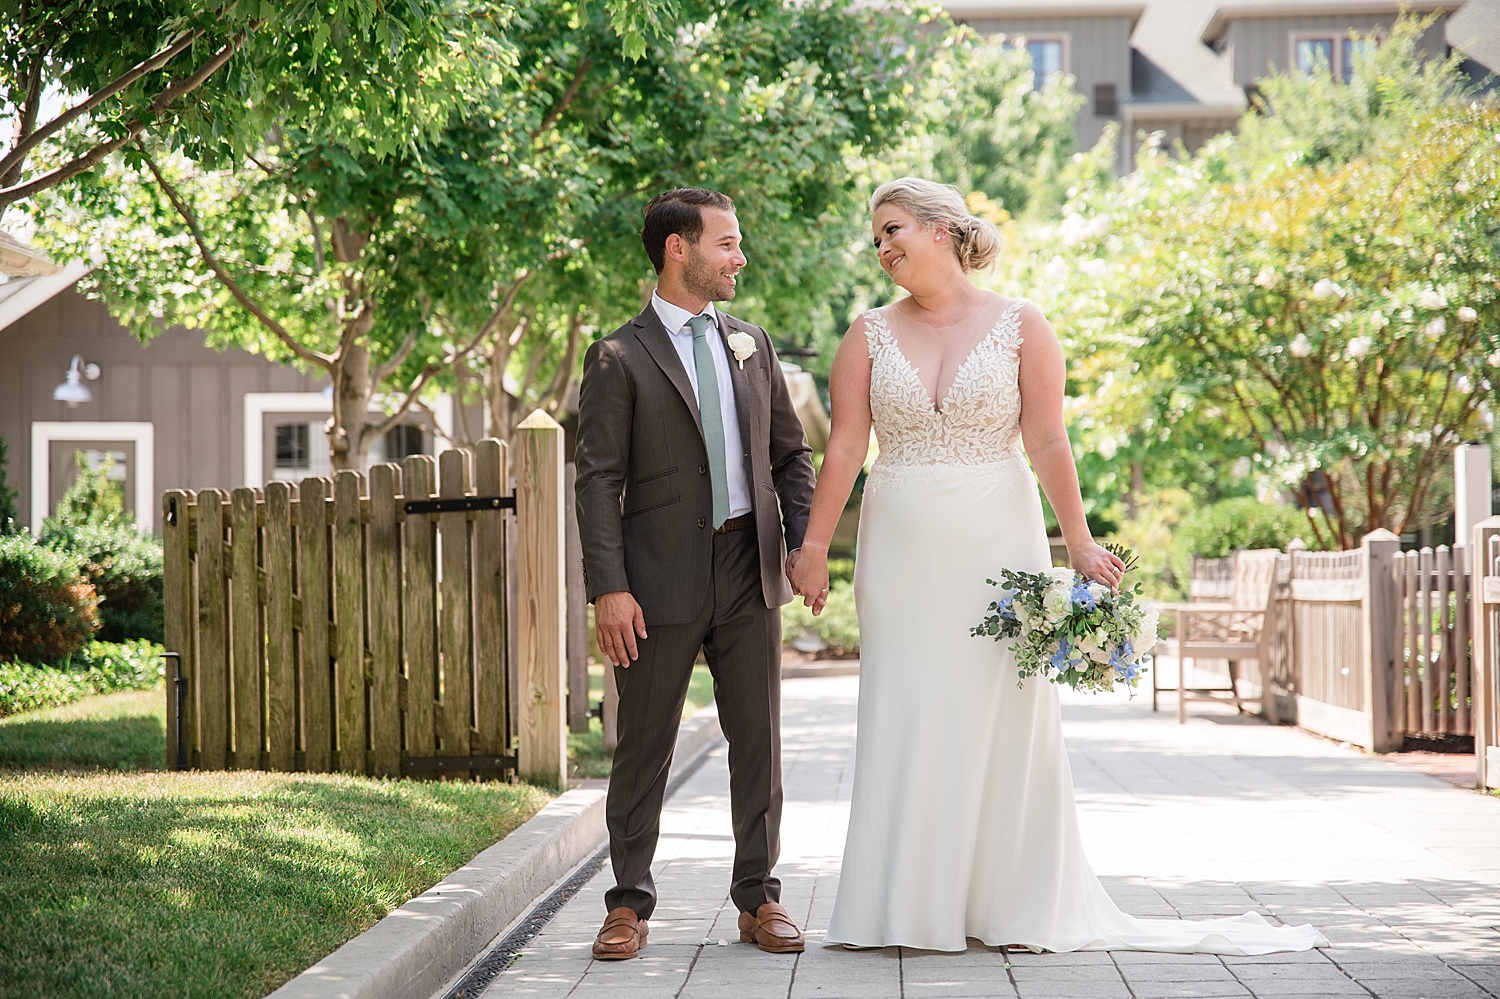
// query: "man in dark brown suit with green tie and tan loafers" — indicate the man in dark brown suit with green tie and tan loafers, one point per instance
point(686, 440)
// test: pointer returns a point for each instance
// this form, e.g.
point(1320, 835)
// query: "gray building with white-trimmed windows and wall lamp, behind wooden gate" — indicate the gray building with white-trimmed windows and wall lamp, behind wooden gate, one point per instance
point(170, 413)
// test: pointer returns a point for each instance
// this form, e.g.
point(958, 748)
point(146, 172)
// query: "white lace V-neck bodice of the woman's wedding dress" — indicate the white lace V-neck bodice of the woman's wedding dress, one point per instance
point(982, 412)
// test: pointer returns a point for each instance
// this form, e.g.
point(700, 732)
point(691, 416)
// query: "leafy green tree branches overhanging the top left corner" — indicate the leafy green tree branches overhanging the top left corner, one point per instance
point(211, 77)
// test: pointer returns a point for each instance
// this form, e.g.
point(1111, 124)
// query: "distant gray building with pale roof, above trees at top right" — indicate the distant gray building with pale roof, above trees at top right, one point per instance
point(1189, 70)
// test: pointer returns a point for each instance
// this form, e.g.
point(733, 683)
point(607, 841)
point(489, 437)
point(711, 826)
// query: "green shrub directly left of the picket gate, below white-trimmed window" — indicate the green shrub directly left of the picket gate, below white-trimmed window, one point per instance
point(127, 572)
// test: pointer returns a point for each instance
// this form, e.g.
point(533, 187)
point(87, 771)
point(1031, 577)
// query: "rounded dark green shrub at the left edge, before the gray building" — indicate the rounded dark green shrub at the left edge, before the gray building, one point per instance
point(47, 608)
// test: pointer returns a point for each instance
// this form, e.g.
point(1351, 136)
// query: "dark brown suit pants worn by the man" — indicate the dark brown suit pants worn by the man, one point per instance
point(742, 640)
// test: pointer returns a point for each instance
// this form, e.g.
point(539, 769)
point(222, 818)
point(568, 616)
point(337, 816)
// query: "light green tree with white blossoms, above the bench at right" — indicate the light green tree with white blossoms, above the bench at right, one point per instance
point(1316, 307)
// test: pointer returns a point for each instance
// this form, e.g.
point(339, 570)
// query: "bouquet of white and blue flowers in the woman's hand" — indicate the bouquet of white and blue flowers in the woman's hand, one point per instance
point(1072, 631)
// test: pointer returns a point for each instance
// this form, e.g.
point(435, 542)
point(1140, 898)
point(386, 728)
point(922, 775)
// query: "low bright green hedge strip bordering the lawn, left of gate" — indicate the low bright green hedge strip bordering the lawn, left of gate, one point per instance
point(98, 668)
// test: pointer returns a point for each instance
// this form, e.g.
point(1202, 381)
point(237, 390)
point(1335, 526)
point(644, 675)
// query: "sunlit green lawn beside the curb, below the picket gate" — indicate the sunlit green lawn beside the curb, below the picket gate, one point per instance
point(203, 884)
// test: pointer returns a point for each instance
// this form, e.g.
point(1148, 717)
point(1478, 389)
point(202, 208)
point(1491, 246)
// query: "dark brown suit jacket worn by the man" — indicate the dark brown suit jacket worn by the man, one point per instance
point(644, 494)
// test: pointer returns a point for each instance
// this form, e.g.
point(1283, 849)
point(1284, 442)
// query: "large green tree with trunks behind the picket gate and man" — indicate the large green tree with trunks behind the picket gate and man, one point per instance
point(494, 244)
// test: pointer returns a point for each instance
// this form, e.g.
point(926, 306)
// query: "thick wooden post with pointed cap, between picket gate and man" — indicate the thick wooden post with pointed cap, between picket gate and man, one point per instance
point(541, 616)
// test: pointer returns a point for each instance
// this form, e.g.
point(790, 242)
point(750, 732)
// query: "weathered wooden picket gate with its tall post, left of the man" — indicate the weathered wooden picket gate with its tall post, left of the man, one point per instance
point(362, 625)
